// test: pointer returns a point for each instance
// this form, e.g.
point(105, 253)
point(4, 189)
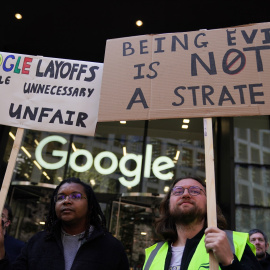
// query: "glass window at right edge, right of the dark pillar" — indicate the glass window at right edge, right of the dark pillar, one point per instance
point(252, 172)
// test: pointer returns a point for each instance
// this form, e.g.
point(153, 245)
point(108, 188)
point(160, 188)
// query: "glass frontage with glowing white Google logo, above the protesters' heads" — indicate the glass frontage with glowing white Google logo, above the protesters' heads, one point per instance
point(134, 156)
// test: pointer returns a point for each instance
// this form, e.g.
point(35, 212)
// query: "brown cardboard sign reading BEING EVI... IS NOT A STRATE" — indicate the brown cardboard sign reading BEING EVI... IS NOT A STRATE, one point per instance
point(206, 73)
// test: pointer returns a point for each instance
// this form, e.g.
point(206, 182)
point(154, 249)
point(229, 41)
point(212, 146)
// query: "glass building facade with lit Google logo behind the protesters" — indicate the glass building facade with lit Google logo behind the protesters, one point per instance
point(131, 165)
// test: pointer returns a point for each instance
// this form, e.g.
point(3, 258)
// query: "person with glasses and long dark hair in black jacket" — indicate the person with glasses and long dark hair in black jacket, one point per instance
point(75, 235)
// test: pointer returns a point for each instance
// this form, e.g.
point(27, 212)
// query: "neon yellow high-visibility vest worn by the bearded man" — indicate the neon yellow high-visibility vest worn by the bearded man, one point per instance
point(156, 254)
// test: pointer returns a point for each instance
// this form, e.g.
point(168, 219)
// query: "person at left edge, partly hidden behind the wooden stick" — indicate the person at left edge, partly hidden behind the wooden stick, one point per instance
point(12, 246)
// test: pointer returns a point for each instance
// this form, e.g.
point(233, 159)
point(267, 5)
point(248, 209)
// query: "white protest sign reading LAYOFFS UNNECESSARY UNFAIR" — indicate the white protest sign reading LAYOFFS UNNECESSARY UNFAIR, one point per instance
point(49, 94)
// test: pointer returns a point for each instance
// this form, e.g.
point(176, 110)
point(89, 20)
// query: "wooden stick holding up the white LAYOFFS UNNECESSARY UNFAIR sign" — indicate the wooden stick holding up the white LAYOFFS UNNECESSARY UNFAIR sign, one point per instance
point(10, 167)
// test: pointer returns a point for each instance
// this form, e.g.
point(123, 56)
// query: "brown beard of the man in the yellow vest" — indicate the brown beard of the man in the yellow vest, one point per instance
point(187, 217)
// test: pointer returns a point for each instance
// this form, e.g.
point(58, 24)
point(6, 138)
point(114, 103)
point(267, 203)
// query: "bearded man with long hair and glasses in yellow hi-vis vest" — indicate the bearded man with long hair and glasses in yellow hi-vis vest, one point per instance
point(187, 242)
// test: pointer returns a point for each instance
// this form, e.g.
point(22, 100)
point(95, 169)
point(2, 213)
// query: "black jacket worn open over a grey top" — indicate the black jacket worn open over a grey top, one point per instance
point(100, 252)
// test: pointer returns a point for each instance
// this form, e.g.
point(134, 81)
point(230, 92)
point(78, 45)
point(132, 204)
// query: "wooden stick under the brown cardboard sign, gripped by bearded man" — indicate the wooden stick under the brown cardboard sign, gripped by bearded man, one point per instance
point(210, 183)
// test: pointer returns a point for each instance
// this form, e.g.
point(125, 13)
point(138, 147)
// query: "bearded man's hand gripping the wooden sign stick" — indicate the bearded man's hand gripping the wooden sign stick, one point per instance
point(216, 241)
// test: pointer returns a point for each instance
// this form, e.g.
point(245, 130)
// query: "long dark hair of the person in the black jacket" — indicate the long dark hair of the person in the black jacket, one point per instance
point(95, 215)
